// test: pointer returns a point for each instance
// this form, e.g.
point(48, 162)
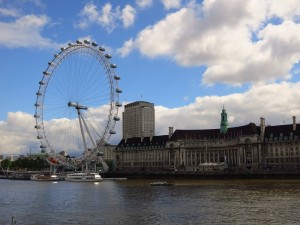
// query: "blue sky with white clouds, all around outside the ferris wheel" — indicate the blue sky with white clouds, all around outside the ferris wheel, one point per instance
point(188, 57)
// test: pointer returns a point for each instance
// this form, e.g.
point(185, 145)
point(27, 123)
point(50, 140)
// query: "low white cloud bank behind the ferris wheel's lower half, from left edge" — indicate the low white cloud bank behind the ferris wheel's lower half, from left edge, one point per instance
point(18, 135)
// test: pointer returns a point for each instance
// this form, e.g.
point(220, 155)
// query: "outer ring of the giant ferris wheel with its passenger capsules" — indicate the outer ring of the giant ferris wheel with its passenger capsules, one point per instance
point(112, 117)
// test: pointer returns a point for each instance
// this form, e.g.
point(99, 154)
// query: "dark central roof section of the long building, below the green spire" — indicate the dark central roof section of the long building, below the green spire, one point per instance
point(250, 129)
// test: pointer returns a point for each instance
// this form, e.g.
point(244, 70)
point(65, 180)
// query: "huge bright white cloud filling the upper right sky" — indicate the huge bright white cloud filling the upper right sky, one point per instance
point(219, 34)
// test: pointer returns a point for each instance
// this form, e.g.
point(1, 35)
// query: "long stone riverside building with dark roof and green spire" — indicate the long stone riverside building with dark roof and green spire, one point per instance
point(243, 149)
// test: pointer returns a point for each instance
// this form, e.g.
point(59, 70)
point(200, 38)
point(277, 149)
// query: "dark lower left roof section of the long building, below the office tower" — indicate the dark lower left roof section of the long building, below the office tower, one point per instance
point(146, 141)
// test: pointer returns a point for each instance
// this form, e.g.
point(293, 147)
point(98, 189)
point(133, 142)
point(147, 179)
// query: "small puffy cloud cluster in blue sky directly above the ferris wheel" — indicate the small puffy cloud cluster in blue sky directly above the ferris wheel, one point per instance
point(107, 17)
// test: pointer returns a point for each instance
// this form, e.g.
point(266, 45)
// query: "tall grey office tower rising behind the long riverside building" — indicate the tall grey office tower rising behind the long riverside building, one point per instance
point(138, 120)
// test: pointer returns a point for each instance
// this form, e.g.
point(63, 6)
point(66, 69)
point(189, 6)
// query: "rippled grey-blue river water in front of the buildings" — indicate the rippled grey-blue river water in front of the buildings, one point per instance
point(136, 202)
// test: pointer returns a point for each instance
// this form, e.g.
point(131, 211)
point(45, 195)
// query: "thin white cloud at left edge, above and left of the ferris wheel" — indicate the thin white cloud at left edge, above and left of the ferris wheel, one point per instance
point(26, 32)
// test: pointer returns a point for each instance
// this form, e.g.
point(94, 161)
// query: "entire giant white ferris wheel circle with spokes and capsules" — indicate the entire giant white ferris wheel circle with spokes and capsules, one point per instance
point(77, 103)
